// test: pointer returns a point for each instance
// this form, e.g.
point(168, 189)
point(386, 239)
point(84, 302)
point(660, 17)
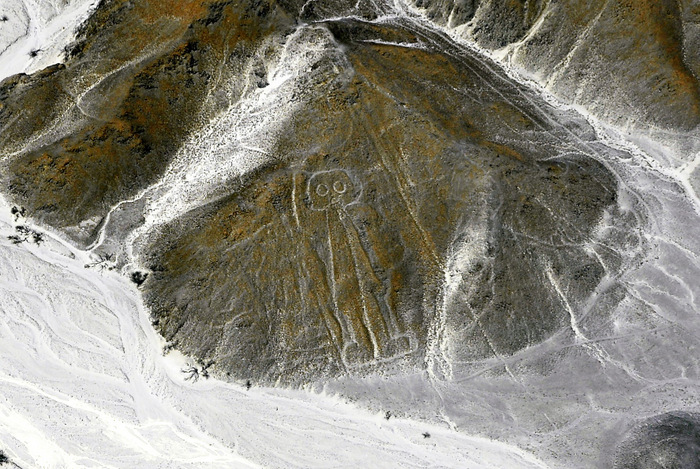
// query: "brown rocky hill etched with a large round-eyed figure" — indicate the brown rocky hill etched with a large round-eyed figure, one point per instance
point(416, 215)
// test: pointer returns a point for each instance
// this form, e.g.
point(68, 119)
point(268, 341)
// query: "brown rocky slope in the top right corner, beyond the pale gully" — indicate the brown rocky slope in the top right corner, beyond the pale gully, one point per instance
point(634, 62)
